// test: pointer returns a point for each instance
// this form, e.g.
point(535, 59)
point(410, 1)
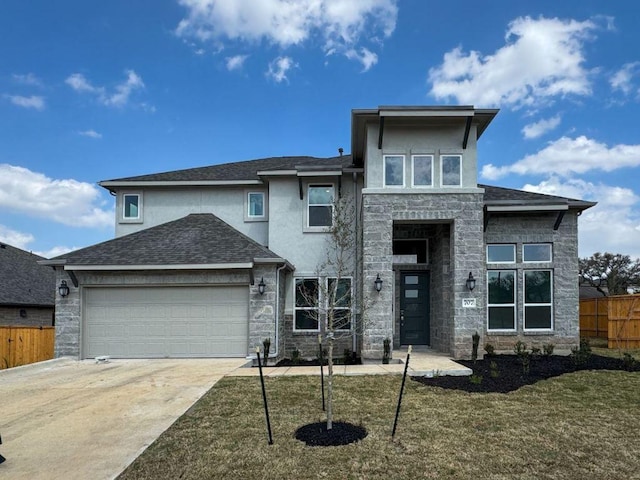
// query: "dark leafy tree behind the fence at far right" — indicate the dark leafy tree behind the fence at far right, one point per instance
point(618, 272)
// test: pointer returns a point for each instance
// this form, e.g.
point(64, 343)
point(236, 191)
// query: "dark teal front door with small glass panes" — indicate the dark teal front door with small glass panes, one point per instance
point(414, 308)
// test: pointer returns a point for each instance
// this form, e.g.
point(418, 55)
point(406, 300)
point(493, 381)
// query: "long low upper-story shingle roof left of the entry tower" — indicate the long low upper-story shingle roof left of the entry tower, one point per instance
point(247, 170)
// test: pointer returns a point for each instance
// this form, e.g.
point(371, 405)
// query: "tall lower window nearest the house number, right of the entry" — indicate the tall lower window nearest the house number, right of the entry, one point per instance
point(501, 291)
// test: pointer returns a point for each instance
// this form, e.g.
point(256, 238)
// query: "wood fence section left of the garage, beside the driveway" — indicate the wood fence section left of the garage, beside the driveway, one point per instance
point(23, 345)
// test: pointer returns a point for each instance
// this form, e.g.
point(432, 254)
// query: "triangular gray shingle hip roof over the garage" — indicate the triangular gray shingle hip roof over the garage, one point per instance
point(197, 239)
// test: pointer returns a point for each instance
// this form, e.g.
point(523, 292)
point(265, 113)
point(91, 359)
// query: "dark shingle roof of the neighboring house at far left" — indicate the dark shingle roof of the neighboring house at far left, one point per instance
point(23, 282)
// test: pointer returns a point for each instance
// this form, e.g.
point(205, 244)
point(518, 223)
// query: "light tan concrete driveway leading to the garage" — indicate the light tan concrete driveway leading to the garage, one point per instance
point(81, 420)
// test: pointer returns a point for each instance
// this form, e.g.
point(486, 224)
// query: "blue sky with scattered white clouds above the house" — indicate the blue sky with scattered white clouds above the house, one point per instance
point(92, 91)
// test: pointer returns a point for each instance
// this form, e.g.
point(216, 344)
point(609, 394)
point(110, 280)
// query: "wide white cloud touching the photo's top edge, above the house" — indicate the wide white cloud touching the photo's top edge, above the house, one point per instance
point(341, 25)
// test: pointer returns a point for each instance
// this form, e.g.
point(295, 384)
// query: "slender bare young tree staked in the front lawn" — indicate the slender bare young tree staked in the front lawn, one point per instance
point(329, 298)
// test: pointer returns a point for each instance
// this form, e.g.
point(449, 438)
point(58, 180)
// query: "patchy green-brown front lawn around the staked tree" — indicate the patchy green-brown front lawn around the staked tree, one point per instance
point(580, 425)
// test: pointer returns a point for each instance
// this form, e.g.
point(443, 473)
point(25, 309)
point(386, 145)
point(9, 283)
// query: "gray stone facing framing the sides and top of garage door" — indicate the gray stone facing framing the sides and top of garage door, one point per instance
point(261, 315)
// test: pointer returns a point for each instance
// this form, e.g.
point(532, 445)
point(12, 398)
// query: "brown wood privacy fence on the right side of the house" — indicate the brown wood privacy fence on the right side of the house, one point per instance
point(615, 318)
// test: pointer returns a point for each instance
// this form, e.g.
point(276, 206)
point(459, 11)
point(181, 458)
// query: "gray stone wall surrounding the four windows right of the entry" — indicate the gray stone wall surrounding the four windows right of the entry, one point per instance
point(538, 228)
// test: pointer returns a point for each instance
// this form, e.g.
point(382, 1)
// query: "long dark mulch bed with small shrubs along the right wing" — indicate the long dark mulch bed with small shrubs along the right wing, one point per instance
point(505, 373)
